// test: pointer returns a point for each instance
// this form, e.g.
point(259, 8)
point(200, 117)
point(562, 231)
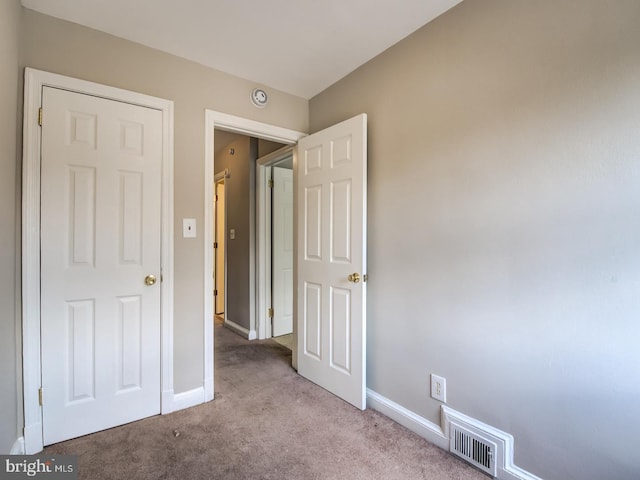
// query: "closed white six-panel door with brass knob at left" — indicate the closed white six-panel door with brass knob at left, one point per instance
point(100, 244)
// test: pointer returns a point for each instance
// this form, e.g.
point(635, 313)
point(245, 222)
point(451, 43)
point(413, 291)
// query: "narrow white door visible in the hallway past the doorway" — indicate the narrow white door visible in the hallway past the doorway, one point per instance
point(282, 217)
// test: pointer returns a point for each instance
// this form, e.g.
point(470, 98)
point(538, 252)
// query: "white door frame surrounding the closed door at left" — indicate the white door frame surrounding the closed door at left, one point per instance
point(35, 80)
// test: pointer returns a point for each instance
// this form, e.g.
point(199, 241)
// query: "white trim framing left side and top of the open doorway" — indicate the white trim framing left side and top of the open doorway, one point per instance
point(243, 126)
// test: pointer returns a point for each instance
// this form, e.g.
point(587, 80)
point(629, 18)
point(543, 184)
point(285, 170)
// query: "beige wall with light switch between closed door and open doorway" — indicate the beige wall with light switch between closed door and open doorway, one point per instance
point(69, 49)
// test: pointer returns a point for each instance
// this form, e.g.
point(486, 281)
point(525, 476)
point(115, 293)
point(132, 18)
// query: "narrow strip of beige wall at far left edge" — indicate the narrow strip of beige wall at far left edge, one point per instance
point(10, 410)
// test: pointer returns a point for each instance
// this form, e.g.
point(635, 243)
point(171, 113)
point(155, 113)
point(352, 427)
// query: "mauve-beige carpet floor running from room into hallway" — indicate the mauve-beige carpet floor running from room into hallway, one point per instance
point(266, 422)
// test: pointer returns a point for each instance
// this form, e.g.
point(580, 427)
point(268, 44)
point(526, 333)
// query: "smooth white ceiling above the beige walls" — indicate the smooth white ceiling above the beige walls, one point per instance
point(297, 46)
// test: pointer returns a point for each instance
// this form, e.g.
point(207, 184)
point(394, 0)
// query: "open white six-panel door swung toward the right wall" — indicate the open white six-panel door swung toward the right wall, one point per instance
point(332, 173)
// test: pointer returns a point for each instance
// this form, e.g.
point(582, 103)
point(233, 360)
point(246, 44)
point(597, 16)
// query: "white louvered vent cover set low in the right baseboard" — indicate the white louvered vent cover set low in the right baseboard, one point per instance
point(473, 447)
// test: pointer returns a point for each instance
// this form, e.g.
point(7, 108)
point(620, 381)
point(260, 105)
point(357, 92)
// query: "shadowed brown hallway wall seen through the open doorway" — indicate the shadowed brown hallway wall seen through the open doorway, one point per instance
point(240, 216)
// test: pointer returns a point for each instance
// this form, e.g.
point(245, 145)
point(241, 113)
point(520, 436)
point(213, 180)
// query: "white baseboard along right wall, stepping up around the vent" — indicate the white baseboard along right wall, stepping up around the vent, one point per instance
point(439, 435)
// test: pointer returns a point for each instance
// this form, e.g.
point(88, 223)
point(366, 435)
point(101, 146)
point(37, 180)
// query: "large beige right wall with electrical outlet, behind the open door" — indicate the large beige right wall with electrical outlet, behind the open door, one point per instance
point(504, 224)
